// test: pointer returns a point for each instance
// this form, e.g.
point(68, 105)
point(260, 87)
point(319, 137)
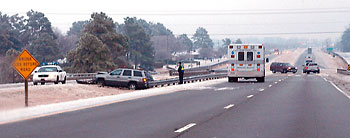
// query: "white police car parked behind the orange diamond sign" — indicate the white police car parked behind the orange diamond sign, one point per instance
point(49, 73)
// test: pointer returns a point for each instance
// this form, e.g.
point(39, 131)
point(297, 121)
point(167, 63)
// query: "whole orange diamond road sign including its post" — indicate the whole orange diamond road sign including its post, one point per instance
point(25, 65)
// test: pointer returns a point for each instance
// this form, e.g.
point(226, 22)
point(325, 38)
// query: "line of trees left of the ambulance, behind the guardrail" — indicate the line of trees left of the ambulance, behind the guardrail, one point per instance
point(97, 44)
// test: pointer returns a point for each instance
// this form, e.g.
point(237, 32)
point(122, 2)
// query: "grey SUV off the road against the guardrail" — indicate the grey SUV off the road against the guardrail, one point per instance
point(131, 78)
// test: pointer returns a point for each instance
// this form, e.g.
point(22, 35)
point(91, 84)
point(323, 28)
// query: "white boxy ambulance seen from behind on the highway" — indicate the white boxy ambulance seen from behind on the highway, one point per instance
point(246, 61)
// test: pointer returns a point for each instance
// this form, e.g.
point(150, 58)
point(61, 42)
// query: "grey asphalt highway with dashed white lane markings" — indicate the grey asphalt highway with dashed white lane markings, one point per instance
point(286, 105)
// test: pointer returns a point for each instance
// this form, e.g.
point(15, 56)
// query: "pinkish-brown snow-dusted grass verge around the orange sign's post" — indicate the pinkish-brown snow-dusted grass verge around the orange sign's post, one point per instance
point(45, 94)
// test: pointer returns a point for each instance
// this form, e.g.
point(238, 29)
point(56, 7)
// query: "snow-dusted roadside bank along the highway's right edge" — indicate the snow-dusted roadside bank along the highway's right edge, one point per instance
point(329, 65)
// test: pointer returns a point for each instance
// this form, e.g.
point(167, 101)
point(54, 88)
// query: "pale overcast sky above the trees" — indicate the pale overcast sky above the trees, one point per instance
point(222, 18)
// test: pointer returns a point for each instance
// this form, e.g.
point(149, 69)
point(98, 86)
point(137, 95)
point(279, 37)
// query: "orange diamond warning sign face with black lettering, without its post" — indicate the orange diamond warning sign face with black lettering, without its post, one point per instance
point(25, 64)
